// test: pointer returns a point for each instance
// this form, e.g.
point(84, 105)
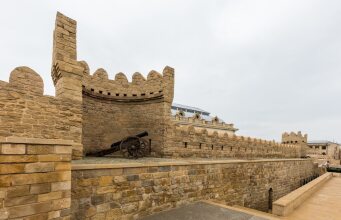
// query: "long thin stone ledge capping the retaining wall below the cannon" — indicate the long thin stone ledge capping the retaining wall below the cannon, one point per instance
point(93, 166)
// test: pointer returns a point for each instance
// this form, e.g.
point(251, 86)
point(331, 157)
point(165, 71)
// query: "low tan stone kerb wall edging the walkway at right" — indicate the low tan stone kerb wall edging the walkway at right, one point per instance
point(287, 204)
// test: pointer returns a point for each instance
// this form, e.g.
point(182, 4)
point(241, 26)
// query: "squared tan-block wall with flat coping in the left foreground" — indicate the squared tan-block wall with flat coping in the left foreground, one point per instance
point(35, 178)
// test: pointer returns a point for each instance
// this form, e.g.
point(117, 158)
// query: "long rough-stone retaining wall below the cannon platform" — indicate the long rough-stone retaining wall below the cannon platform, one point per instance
point(112, 191)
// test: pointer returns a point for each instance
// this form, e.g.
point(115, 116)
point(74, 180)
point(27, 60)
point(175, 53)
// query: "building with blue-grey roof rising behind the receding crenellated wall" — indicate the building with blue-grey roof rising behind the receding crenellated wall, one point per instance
point(184, 115)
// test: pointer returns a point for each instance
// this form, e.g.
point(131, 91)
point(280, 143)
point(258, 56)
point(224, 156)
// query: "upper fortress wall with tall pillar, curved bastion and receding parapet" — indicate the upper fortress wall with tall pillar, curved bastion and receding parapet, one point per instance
point(114, 109)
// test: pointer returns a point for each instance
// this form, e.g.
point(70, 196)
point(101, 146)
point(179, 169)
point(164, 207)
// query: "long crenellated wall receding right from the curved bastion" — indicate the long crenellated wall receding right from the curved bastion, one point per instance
point(191, 142)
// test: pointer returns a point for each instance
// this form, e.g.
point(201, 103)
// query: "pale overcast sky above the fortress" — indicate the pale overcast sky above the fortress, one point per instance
point(267, 66)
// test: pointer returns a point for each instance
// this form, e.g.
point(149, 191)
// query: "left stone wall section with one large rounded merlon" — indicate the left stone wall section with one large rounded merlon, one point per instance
point(27, 113)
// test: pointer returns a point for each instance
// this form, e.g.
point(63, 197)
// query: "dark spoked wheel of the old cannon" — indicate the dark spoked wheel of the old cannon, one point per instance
point(134, 147)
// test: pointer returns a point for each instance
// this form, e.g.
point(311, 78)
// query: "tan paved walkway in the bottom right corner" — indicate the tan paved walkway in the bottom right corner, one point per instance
point(324, 204)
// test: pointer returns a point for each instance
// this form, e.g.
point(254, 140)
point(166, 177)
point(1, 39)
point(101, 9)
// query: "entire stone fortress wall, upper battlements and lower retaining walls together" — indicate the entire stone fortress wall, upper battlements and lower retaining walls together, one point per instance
point(39, 134)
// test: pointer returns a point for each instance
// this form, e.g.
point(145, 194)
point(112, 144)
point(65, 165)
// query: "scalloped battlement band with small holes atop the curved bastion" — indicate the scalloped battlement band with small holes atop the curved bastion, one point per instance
point(155, 86)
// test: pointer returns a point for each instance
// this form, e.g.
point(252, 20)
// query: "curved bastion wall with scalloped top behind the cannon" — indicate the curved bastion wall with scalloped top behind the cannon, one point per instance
point(114, 109)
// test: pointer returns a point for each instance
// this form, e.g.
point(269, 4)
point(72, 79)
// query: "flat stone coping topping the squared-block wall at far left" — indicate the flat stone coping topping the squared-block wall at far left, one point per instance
point(23, 140)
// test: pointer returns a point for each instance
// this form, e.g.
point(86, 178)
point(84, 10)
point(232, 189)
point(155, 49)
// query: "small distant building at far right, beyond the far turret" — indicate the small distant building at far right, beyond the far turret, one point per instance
point(324, 149)
